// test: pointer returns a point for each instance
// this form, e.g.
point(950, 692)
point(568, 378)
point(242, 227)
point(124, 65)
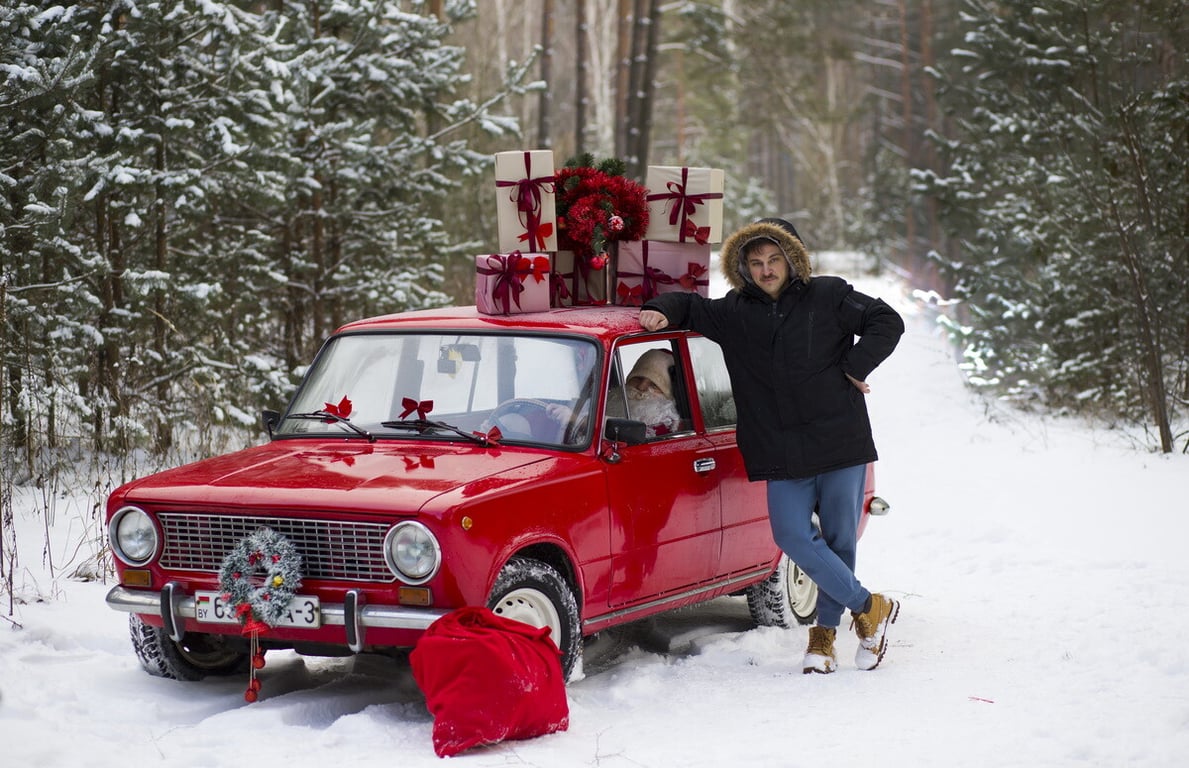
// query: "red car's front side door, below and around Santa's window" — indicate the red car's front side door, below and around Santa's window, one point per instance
point(666, 525)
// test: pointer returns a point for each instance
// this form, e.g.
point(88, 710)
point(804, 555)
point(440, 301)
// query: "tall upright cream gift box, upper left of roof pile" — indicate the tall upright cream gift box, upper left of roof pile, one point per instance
point(526, 204)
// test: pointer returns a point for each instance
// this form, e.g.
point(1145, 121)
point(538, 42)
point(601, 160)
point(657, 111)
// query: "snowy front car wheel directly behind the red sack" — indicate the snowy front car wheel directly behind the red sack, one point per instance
point(534, 593)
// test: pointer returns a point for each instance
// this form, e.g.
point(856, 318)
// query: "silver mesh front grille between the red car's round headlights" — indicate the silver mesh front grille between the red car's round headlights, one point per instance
point(330, 550)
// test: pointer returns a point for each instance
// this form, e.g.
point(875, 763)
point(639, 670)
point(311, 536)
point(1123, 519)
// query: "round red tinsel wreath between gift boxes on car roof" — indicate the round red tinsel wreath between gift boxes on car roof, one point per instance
point(597, 206)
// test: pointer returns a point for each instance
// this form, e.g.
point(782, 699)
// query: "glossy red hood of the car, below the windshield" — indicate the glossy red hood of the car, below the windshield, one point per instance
point(354, 476)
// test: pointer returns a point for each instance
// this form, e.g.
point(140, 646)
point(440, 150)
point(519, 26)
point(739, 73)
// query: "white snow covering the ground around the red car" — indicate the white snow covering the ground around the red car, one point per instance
point(1041, 568)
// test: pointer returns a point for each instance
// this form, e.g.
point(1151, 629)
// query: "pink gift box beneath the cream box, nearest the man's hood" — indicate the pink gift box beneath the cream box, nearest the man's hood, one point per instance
point(647, 268)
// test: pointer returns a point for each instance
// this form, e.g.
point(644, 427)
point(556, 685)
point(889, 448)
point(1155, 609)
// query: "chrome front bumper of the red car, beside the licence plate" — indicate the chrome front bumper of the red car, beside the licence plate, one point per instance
point(174, 606)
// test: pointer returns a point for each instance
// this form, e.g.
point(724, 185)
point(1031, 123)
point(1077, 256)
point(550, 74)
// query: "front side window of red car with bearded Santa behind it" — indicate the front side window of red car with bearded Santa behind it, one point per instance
point(646, 386)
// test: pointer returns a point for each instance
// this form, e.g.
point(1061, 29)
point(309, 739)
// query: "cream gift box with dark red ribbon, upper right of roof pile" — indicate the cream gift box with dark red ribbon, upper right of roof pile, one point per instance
point(685, 205)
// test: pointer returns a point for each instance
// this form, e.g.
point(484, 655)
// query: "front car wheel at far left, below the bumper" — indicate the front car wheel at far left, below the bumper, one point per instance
point(196, 658)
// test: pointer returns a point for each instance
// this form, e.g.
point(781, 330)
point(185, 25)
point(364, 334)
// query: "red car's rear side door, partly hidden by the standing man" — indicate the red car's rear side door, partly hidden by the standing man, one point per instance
point(747, 534)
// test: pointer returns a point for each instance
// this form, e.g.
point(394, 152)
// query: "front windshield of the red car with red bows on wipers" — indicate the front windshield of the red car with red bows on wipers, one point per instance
point(501, 388)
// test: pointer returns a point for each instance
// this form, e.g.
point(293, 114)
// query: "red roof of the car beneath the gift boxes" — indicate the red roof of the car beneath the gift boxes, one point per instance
point(603, 322)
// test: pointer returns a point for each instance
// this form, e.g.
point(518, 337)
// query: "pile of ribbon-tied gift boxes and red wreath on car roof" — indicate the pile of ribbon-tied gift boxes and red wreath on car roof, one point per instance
point(581, 237)
